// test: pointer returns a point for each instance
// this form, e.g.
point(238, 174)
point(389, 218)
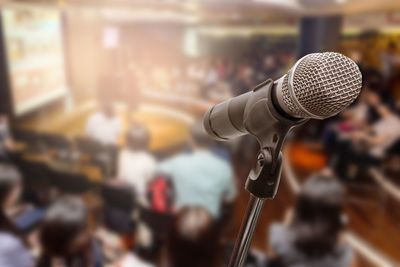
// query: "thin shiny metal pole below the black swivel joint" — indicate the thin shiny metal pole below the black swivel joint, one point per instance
point(246, 232)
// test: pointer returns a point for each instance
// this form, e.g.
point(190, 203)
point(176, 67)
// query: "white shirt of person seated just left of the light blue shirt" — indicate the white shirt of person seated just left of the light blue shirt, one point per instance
point(136, 168)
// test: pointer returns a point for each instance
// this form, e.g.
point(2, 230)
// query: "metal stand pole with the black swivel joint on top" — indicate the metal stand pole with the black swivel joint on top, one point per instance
point(262, 183)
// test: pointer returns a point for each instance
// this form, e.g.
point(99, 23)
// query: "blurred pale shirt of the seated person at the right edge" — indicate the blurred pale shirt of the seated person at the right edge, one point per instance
point(390, 128)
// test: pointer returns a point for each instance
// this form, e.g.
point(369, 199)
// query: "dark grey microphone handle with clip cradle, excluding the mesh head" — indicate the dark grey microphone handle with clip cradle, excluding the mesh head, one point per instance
point(253, 113)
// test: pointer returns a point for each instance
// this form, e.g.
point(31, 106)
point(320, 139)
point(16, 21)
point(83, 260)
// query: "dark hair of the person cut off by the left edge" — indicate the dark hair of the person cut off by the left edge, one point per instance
point(9, 179)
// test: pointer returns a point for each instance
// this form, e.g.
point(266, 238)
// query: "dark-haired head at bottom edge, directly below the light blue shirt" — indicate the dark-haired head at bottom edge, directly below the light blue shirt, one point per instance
point(194, 239)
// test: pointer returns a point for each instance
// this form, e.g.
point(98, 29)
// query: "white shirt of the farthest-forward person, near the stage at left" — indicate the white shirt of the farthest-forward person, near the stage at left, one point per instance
point(104, 129)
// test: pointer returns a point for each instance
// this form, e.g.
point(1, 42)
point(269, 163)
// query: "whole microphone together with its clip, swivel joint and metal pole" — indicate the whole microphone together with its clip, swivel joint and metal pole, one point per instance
point(318, 86)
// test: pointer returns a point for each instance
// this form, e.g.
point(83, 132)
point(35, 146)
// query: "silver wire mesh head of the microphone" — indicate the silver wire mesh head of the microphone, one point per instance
point(321, 85)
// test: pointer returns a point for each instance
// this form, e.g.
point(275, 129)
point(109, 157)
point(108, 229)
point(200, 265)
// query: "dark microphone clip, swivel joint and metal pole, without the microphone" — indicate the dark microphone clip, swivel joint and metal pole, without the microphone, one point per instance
point(263, 180)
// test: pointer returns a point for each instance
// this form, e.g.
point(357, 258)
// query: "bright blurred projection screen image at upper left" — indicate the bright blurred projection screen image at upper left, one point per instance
point(35, 56)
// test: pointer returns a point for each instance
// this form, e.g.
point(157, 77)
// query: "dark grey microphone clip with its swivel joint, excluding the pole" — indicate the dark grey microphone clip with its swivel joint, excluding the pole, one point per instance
point(263, 120)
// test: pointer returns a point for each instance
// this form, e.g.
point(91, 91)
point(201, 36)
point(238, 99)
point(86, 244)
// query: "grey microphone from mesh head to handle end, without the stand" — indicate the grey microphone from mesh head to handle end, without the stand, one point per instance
point(318, 86)
